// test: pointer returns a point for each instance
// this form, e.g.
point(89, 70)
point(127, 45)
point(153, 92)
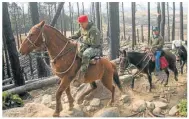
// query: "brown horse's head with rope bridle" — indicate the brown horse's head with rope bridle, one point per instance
point(34, 39)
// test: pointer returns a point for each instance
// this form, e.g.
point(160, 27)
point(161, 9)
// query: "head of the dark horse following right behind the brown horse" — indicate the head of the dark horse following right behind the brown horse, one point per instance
point(124, 61)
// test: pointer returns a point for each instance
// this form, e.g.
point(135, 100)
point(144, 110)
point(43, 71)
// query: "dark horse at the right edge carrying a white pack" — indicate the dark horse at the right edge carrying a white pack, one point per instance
point(182, 54)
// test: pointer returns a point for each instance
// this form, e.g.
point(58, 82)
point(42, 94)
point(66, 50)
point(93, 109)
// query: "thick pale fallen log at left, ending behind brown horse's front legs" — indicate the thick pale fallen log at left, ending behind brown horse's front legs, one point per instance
point(34, 85)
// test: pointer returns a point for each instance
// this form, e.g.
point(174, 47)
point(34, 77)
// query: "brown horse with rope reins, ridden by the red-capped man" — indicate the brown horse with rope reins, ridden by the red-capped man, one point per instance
point(65, 63)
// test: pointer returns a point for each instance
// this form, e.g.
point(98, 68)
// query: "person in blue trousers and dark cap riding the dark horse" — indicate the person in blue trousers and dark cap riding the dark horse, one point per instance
point(157, 45)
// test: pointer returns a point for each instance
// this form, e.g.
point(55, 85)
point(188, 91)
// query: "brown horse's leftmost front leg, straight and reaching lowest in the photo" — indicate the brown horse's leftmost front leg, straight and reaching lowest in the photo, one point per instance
point(63, 85)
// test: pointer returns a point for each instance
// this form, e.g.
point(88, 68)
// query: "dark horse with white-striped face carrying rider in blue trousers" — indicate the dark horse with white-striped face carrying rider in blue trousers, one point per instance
point(144, 63)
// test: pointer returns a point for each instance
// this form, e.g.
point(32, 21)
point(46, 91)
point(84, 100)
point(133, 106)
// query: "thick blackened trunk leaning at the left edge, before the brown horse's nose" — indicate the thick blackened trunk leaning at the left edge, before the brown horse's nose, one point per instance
point(11, 46)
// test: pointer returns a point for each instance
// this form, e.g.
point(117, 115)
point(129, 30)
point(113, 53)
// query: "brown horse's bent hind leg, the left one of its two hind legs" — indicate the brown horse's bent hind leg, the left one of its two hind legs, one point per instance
point(93, 86)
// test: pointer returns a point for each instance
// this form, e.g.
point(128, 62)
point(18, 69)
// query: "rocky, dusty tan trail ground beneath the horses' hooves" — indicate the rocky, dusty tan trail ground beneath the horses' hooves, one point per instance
point(161, 101)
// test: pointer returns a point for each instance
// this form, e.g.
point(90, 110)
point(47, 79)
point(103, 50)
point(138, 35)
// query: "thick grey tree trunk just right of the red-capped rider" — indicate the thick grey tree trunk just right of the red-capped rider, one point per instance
point(114, 29)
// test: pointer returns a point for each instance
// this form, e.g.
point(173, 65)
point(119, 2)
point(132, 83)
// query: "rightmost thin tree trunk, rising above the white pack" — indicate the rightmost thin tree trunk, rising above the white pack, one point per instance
point(181, 22)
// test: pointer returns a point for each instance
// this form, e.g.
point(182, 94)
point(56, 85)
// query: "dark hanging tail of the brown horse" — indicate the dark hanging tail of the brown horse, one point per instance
point(116, 77)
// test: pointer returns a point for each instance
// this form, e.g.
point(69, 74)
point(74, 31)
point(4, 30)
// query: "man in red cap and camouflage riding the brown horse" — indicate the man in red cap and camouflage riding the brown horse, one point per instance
point(89, 36)
